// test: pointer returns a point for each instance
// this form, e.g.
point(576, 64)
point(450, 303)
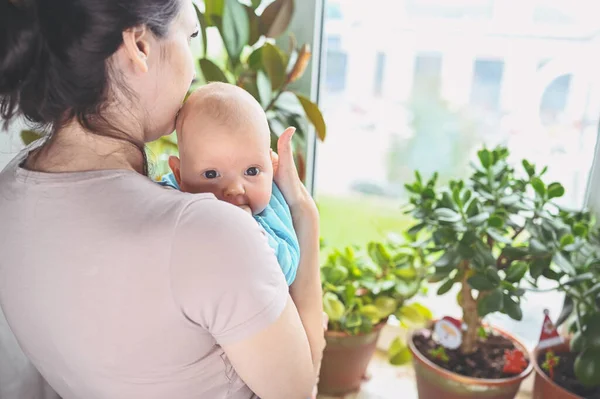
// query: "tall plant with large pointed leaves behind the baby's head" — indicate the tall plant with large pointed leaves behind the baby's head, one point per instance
point(252, 60)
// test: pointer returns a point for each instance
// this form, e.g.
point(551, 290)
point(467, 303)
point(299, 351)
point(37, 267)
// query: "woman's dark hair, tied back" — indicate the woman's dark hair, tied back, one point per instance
point(53, 57)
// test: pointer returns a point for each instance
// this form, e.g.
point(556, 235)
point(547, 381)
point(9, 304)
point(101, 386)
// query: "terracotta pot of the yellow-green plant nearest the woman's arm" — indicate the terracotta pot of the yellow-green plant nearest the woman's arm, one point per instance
point(345, 360)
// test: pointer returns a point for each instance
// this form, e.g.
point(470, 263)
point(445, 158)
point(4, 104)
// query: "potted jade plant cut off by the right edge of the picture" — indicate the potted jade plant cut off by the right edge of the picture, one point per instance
point(571, 369)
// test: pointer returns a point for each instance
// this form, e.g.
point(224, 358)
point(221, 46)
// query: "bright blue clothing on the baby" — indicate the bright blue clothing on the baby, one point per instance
point(276, 220)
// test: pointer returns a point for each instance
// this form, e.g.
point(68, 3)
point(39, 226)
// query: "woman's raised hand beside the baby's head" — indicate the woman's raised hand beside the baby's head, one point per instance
point(286, 175)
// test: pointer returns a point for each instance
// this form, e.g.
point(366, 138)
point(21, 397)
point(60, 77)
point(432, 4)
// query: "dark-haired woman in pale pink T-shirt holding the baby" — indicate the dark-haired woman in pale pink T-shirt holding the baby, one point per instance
point(116, 287)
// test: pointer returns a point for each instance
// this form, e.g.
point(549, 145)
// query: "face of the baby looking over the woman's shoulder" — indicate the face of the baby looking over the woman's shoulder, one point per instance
point(232, 163)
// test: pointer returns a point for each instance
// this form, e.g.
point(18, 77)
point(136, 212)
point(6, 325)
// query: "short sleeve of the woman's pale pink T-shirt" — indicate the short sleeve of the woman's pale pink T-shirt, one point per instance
point(224, 275)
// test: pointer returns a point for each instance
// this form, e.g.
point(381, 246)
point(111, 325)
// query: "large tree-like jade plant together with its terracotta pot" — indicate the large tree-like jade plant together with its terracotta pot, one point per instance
point(478, 230)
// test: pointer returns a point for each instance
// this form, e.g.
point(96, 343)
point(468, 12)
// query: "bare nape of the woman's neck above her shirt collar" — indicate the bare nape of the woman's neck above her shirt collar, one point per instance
point(73, 149)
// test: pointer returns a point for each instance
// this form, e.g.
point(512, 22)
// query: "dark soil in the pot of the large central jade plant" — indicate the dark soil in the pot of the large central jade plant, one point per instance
point(487, 362)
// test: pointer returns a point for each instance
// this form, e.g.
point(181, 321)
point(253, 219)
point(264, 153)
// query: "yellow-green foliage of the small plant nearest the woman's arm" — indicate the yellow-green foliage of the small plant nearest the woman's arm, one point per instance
point(363, 286)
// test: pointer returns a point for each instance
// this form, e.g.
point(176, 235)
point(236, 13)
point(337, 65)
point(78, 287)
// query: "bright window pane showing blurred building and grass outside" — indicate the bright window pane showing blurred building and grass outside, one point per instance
point(429, 94)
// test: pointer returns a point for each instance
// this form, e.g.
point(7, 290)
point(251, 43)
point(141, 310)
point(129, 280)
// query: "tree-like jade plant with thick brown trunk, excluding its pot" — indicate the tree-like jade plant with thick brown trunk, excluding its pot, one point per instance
point(477, 229)
